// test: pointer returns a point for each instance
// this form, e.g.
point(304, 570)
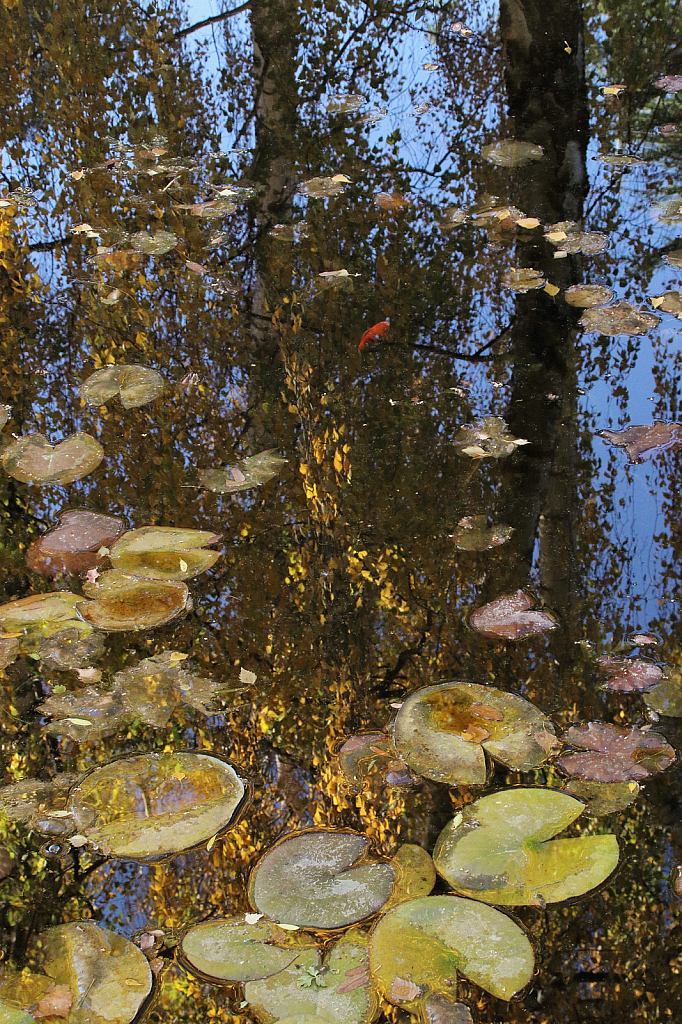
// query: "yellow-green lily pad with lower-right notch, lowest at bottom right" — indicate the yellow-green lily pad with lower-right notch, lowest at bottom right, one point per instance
point(418, 948)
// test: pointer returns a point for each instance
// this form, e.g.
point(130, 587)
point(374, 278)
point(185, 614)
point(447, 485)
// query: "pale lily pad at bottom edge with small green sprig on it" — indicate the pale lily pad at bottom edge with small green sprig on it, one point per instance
point(336, 990)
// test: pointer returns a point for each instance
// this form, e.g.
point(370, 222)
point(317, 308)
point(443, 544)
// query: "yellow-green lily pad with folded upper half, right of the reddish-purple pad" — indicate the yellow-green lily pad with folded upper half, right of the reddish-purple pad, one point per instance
point(164, 553)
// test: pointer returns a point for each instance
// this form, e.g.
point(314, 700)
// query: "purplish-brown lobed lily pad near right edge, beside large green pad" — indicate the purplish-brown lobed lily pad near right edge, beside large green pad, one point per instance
point(613, 754)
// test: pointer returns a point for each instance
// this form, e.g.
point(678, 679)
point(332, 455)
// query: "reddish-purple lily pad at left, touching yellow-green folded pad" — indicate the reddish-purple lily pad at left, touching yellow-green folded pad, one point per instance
point(74, 546)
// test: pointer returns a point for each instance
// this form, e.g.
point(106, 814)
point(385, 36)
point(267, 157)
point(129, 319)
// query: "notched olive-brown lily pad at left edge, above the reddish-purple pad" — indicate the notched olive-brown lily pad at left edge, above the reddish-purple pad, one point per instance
point(34, 460)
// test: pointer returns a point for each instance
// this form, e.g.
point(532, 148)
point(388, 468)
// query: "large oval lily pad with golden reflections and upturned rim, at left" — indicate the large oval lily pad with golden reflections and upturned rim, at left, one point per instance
point(153, 805)
